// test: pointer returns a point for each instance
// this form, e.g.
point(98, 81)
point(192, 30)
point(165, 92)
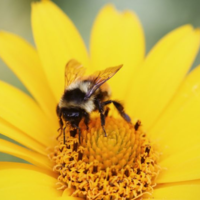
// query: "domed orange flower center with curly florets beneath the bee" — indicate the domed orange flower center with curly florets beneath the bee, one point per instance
point(121, 165)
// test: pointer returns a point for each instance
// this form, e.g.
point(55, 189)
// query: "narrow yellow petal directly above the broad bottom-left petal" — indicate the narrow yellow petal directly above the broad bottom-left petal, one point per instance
point(28, 155)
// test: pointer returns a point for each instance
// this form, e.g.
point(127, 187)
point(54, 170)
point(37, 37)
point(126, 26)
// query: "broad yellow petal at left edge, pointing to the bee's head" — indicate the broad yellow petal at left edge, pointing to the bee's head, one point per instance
point(23, 113)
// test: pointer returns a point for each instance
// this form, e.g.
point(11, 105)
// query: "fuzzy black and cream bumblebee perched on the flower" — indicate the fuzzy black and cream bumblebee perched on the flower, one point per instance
point(83, 95)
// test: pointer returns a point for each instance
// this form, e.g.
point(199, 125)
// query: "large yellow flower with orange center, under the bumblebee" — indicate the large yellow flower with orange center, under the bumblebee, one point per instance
point(155, 89)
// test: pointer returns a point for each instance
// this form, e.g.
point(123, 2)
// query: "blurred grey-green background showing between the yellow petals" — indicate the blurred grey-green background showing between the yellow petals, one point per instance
point(158, 17)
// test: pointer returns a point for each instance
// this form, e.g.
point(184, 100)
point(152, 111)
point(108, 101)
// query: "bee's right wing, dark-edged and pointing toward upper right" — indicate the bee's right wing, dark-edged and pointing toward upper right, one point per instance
point(100, 77)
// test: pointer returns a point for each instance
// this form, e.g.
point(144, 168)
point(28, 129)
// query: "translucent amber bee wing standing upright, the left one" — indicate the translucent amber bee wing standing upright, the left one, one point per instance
point(73, 71)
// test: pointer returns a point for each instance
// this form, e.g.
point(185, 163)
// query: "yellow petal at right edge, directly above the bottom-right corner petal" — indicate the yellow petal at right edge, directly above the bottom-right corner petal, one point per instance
point(181, 166)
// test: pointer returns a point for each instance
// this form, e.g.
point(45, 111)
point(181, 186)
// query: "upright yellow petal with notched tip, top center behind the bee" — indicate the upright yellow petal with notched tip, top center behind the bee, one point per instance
point(117, 38)
